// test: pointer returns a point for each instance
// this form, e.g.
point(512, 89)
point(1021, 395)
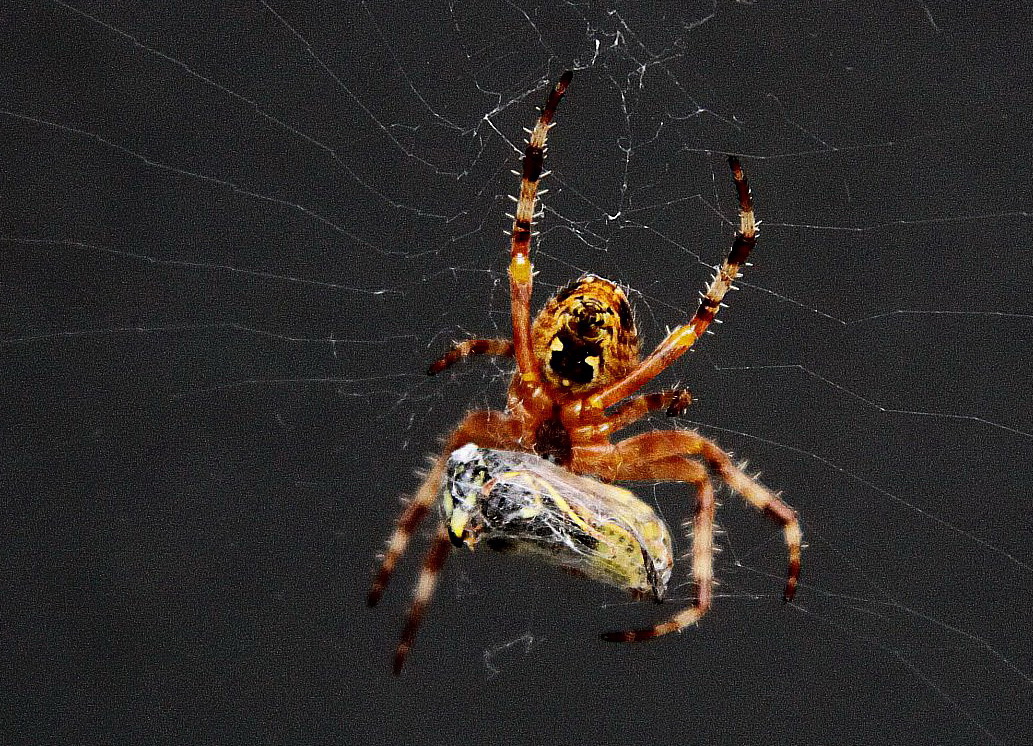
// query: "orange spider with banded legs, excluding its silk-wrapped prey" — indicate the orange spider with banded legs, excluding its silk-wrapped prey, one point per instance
point(579, 367)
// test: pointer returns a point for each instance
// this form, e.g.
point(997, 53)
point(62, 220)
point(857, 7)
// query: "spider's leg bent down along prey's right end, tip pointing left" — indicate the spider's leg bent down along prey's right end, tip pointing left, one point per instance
point(680, 470)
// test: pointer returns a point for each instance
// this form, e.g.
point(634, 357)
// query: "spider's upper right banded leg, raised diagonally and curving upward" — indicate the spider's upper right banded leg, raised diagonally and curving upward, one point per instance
point(682, 338)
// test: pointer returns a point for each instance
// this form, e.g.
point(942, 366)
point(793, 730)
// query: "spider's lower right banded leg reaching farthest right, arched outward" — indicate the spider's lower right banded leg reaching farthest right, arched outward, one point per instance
point(658, 446)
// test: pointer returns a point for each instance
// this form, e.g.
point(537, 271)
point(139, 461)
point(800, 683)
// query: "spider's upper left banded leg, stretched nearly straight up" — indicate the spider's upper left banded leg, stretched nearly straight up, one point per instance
point(521, 271)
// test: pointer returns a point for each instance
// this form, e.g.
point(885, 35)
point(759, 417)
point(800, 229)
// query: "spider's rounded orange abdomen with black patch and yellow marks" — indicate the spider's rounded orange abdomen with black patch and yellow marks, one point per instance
point(585, 338)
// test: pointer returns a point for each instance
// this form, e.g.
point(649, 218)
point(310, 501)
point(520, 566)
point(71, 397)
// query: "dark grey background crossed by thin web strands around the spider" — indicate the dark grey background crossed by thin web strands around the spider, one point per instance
point(235, 235)
